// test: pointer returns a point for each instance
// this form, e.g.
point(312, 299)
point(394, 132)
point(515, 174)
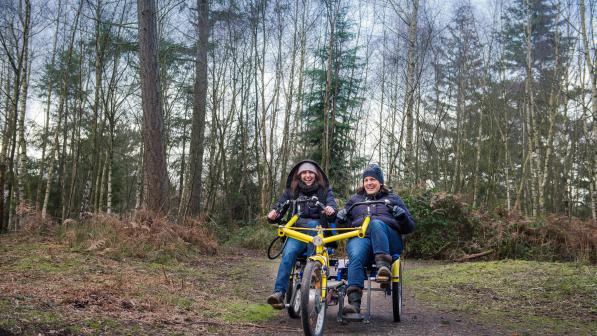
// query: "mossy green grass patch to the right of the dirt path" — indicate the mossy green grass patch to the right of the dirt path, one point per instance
point(526, 296)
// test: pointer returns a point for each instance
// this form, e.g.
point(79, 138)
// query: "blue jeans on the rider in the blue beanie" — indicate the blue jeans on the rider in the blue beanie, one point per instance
point(380, 239)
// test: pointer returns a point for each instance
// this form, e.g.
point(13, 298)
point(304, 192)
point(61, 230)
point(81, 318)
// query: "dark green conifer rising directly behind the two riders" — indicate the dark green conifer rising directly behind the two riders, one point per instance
point(331, 118)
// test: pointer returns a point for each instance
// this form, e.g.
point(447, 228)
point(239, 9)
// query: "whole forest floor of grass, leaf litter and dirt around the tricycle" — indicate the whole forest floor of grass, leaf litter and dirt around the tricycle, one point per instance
point(47, 289)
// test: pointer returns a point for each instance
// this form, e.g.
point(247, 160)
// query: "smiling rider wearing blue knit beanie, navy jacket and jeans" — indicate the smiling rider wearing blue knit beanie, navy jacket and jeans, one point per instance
point(382, 240)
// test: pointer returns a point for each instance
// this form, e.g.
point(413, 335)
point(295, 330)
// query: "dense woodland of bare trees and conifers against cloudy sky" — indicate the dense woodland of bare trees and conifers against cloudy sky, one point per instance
point(200, 108)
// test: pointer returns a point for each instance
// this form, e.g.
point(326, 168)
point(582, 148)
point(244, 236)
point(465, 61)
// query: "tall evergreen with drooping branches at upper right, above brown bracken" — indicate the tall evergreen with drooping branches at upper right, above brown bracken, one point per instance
point(534, 54)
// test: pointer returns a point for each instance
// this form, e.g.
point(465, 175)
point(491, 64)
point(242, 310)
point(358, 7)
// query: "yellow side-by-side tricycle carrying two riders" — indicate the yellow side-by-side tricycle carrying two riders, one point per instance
point(319, 281)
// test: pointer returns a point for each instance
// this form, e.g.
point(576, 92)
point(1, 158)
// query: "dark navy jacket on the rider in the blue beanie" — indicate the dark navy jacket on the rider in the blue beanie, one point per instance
point(403, 224)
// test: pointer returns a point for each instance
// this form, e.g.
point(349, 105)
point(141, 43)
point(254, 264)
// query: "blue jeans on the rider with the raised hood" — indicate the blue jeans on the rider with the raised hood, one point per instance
point(292, 250)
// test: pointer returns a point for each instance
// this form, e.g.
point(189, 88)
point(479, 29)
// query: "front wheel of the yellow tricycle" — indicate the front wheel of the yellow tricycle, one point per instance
point(313, 304)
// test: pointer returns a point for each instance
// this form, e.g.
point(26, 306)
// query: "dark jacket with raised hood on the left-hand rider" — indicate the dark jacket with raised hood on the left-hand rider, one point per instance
point(324, 194)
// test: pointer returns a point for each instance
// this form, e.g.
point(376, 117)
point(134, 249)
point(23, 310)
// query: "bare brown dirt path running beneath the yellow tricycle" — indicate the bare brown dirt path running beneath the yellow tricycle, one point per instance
point(418, 319)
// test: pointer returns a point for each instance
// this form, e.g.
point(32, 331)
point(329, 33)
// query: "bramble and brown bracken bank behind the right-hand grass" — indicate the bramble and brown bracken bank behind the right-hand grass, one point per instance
point(448, 229)
